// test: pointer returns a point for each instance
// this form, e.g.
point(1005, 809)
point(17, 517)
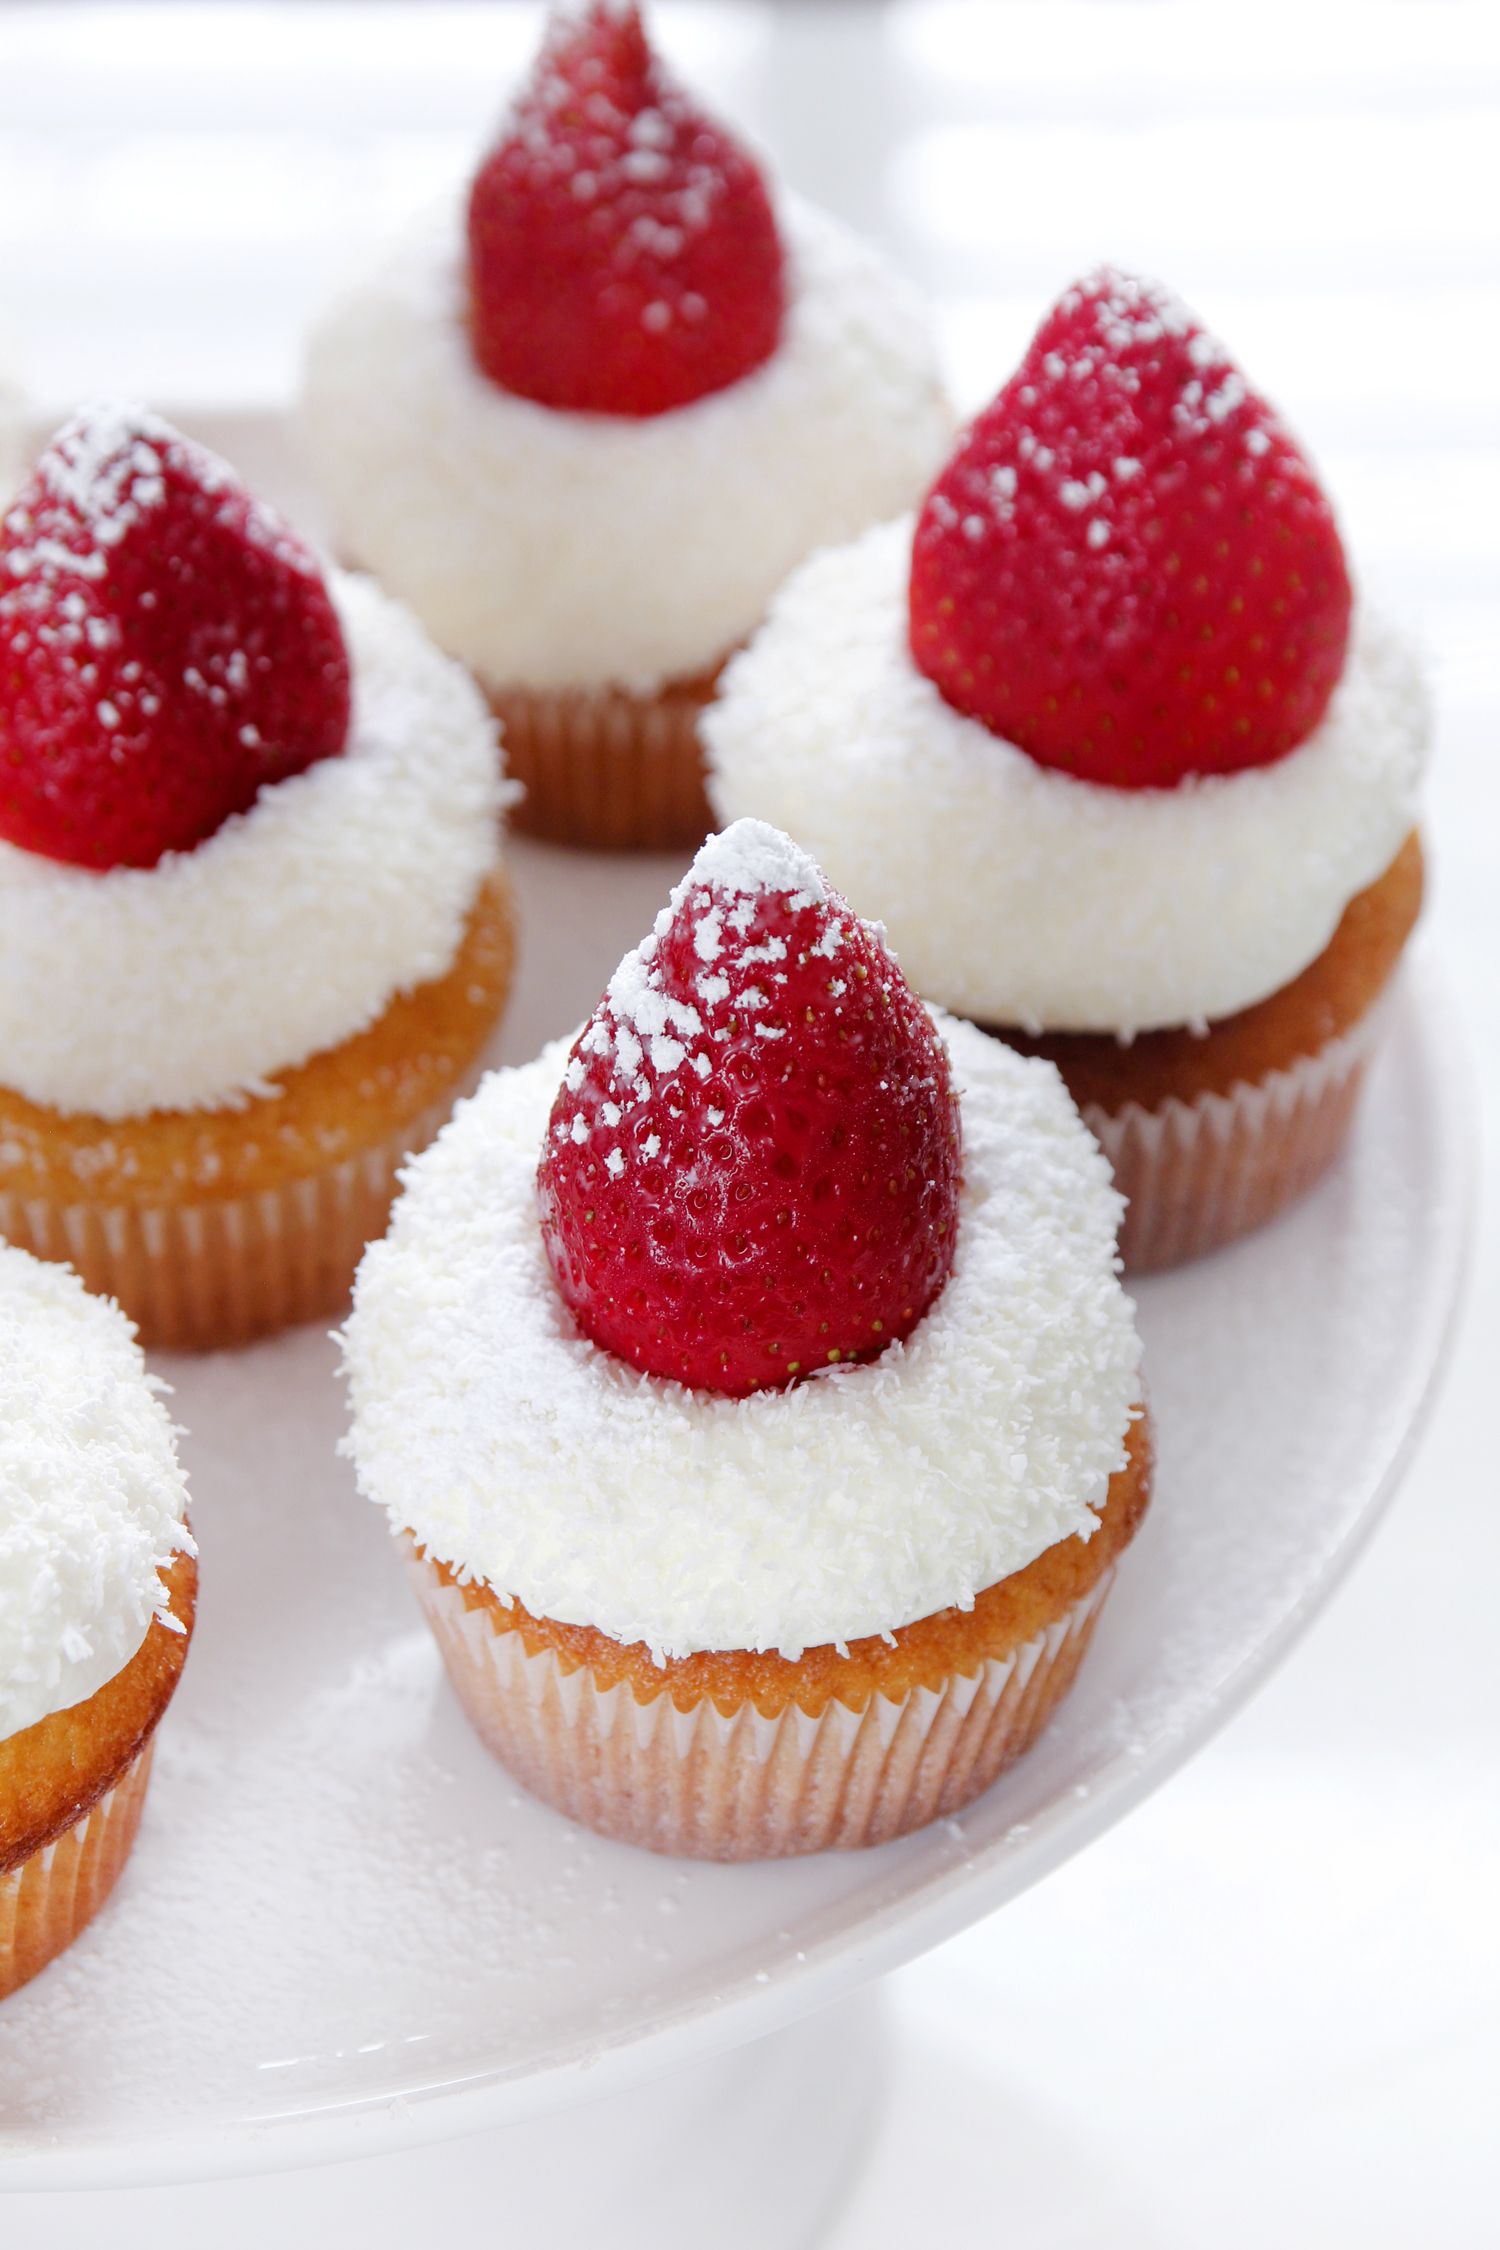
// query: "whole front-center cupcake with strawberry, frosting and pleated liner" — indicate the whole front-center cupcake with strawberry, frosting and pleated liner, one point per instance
point(752, 1392)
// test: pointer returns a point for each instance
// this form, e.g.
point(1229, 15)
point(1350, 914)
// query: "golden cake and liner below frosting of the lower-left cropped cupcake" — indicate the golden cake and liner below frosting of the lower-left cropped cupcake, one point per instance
point(73, 1792)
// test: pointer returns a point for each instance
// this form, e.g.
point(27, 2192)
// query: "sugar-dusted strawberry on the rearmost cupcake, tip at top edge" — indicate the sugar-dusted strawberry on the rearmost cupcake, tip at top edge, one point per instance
point(622, 246)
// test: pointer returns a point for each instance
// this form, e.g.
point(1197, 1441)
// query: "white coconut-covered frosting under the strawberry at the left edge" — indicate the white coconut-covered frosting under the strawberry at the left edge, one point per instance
point(289, 930)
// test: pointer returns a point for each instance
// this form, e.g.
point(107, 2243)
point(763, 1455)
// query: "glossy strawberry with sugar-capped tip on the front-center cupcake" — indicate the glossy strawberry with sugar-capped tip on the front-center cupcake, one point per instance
point(752, 1164)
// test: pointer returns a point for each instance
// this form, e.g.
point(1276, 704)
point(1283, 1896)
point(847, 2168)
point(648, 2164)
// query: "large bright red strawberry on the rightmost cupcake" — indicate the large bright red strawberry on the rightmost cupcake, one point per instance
point(1130, 568)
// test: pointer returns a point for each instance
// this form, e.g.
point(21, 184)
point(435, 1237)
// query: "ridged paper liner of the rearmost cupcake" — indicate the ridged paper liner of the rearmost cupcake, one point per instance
point(608, 771)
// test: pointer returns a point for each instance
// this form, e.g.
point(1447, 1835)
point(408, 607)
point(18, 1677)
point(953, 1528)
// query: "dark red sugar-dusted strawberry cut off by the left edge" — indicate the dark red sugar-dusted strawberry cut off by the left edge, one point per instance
point(168, 647)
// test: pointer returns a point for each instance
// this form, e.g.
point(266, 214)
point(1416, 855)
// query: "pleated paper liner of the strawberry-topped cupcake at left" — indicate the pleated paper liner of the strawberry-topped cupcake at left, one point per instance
point(217, 1272)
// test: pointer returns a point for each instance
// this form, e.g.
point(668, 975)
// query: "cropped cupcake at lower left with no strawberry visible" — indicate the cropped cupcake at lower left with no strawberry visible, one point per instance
point(98, 1585)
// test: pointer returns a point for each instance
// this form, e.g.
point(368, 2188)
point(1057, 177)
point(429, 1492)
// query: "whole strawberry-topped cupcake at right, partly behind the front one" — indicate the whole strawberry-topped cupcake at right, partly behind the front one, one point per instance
point(1119, 757)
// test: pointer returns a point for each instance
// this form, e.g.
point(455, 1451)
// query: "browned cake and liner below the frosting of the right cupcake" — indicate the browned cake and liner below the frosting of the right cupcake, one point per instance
point(1211, 1135)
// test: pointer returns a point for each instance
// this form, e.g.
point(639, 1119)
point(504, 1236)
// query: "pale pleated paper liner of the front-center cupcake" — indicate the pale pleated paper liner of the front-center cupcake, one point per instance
point(701, 1783)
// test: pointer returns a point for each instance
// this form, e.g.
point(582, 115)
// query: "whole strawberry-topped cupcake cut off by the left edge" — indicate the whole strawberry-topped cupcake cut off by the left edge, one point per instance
point(255, 930)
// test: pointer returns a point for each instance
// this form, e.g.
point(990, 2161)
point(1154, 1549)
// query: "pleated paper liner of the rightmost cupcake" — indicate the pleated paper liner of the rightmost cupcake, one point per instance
point(1204, 1173)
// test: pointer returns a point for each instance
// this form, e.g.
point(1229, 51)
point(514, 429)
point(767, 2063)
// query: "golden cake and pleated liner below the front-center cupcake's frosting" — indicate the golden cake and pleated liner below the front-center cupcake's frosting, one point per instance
point(739, 1756)
